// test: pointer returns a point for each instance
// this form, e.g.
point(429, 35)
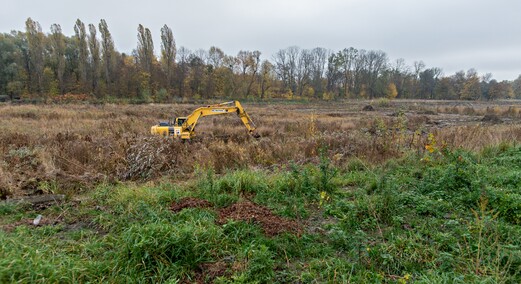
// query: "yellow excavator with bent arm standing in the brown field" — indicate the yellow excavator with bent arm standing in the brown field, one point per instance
point(184, 127)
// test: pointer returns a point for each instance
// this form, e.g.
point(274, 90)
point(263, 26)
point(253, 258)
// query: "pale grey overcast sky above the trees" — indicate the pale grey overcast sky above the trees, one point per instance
point(451, 34)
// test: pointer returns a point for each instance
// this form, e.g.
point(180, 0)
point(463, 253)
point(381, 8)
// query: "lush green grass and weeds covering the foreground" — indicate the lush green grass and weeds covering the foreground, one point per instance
point(449, 216)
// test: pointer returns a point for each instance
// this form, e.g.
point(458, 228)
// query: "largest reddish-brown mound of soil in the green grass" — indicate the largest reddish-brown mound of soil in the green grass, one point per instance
point(251, 212)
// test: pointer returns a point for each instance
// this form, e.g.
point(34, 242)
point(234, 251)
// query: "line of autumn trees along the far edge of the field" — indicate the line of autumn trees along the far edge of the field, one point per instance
point(38, 65)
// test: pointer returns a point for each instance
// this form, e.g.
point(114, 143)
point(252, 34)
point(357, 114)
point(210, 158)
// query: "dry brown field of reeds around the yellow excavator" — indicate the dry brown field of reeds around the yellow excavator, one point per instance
point(69, 148)
